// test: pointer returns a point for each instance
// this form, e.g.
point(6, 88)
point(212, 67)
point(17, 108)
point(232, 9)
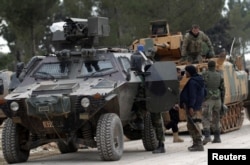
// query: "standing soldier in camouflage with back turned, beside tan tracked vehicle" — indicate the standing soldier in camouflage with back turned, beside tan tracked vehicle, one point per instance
point(213, 103)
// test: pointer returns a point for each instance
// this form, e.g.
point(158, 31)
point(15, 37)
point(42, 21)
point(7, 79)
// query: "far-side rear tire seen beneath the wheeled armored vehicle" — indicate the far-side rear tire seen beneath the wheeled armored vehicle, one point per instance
point(69, 147)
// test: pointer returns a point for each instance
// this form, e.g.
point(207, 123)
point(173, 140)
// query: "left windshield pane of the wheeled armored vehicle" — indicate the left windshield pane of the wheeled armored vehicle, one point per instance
point(52, 70)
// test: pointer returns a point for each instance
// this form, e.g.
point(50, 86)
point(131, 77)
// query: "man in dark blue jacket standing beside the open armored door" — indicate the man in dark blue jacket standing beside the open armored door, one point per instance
point(191, 98)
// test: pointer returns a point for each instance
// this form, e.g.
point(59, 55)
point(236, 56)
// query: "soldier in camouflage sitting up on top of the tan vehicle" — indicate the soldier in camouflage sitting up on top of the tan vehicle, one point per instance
point(192, 45)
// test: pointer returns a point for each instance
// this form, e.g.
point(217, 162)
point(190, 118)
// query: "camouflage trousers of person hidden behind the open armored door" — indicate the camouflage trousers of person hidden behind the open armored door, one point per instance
point(157, 122)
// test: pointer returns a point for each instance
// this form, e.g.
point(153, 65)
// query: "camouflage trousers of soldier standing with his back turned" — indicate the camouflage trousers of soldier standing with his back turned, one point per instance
point(211, 114)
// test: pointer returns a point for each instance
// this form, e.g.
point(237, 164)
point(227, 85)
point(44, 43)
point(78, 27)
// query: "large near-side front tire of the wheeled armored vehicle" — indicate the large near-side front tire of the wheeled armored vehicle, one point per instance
point(109, 137)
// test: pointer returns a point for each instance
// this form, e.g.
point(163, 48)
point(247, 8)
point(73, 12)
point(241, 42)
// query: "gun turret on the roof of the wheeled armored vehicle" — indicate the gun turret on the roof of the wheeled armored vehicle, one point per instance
point(82, 33)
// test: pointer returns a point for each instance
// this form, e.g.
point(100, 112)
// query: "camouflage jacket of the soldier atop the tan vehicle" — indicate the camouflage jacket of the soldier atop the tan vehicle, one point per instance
point(193, 44)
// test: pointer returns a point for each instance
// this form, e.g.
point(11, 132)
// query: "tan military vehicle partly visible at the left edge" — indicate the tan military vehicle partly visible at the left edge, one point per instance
point(4, 90)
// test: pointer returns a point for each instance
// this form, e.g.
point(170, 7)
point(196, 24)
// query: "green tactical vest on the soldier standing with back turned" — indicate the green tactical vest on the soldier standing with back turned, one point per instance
point(212, 83)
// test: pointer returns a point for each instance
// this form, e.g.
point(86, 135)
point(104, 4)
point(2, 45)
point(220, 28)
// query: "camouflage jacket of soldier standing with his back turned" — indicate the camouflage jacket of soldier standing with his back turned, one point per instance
point(214, 83)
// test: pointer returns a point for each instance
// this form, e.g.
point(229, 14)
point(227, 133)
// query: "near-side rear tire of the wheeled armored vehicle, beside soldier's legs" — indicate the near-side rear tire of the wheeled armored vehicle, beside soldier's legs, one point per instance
point(149, 139)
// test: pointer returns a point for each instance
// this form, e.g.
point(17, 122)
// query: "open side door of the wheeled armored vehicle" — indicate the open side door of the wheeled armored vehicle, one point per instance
point(162, 87)
